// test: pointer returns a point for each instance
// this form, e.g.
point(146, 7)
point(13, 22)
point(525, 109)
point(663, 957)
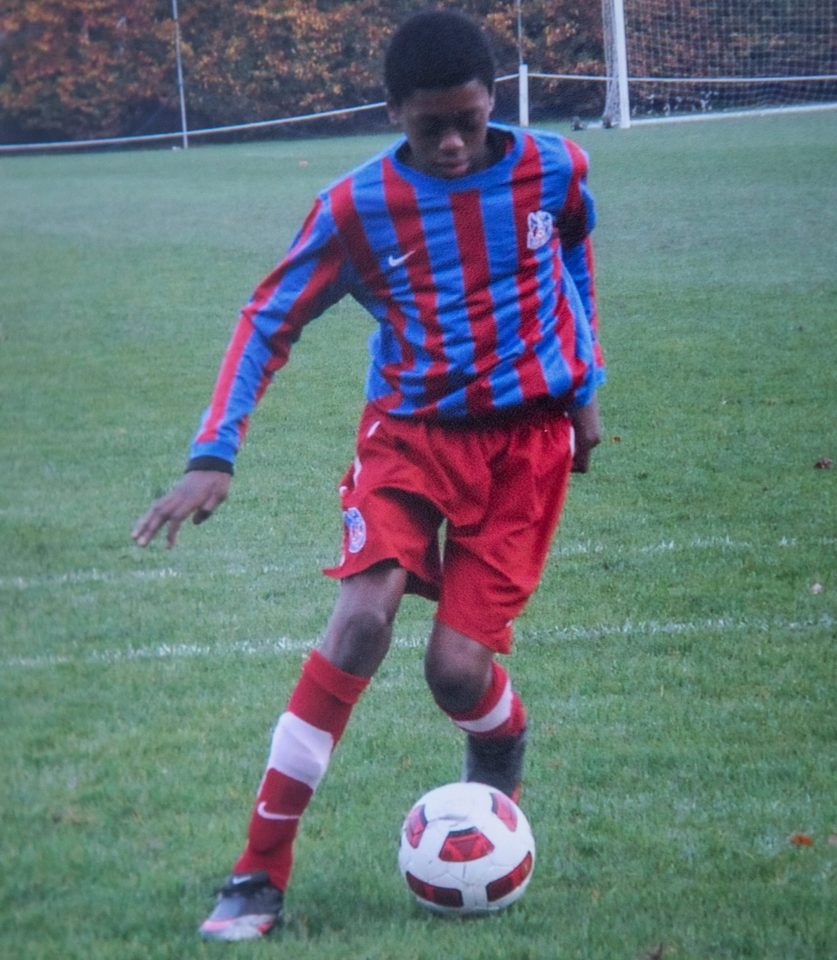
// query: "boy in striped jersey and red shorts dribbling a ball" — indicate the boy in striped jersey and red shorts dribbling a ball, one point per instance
point(468, 242)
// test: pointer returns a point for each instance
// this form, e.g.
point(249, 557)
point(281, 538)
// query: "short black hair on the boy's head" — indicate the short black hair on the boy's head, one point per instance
point(434, 50)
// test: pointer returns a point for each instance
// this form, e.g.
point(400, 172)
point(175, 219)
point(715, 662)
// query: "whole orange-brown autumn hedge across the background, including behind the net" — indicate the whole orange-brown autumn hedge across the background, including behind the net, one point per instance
point(75, 69)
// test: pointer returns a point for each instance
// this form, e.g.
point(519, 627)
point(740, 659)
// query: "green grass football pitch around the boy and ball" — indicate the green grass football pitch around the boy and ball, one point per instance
point(677, 662)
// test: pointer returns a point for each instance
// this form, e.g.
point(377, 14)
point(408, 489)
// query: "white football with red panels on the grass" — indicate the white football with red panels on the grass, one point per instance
point(466, 848)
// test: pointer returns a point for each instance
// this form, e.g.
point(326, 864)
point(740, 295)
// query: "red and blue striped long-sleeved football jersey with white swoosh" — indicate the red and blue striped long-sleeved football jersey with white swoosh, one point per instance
point(482, 288)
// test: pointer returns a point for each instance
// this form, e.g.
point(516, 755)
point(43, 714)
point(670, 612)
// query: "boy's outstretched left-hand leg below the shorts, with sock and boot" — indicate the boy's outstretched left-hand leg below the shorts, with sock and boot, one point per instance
point(330, 684)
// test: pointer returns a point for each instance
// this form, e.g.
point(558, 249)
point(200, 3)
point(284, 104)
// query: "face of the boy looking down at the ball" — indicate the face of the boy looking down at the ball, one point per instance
point(446, 129)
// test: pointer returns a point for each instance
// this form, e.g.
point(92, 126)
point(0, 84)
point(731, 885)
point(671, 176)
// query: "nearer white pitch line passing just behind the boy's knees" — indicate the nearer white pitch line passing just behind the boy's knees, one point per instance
point(284, 645)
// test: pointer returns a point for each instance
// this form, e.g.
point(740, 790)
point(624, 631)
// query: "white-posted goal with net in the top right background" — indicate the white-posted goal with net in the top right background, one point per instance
point(692, 57)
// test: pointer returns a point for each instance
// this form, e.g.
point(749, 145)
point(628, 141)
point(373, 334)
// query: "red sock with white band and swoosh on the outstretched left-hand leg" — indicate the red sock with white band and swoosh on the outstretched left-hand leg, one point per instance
point(303, 741)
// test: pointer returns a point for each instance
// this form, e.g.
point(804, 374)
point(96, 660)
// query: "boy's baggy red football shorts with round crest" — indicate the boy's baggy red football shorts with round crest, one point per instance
point(498, 487)
